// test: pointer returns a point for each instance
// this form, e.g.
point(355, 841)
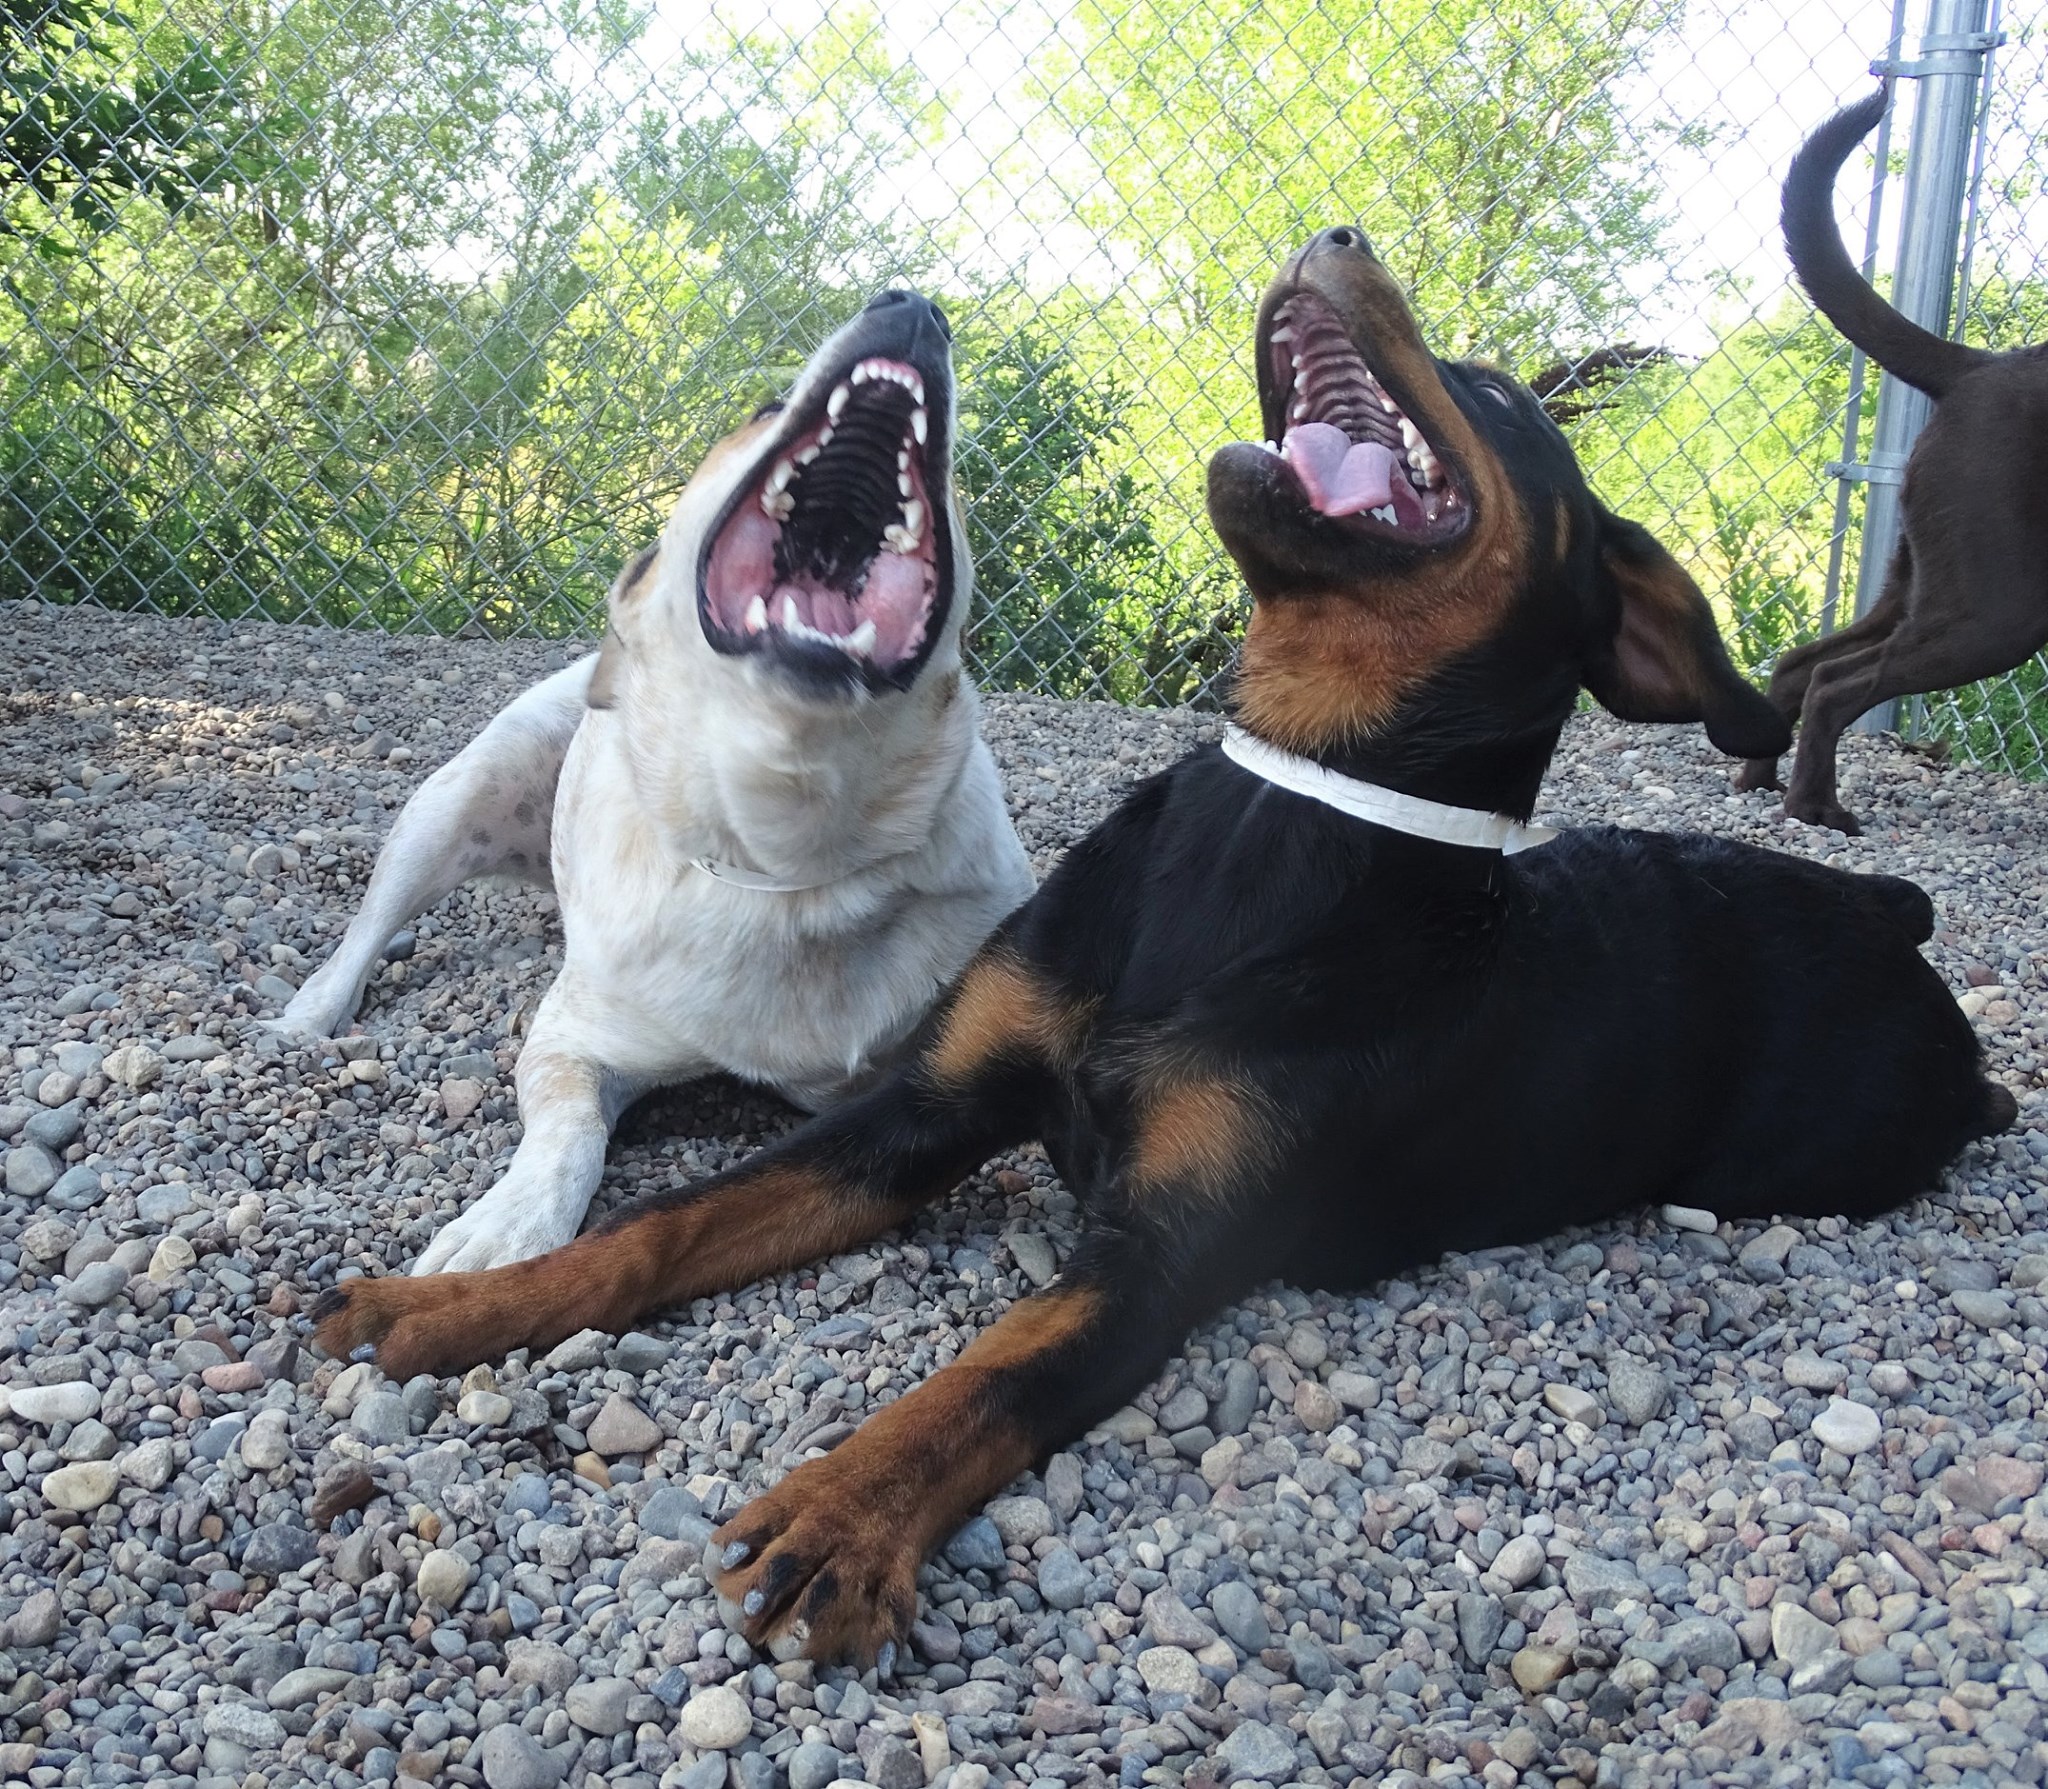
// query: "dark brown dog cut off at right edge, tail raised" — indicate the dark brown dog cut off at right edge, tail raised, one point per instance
point(1967, 591)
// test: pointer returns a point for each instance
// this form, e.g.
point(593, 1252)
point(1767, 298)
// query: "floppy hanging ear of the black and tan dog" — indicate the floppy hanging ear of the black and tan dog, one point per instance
point(1664, 658)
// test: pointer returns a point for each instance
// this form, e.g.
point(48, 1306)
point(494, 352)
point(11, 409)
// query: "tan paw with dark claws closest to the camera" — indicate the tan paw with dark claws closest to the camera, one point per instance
point(820, 1571)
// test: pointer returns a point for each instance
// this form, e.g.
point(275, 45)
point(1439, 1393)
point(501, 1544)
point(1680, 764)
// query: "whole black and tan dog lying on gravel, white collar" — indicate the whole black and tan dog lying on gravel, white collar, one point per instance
point(1265, 1037)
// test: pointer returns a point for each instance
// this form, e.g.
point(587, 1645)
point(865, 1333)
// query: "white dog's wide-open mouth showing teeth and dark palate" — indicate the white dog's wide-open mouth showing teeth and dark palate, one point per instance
point(830, 554)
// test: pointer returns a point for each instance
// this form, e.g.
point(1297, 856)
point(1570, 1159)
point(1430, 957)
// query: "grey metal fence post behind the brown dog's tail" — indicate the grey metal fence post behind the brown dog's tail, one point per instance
point(1924, 283)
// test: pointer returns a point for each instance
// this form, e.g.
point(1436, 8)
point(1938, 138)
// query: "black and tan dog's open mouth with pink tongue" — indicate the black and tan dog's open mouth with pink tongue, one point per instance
point(1345, 437)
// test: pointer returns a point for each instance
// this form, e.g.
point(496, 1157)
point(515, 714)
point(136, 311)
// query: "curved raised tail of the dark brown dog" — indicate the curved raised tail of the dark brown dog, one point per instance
point(1832, 279)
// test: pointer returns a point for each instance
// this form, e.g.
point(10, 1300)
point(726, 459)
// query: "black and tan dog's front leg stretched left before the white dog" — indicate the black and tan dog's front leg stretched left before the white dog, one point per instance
point(976, 1086)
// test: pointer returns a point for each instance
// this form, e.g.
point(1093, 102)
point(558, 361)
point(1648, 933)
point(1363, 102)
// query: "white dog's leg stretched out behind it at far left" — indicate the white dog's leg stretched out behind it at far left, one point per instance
point(488, 810)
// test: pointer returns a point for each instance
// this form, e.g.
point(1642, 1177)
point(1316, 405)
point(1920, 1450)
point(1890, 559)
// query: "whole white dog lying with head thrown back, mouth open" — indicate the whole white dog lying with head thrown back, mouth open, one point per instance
point(769, 818)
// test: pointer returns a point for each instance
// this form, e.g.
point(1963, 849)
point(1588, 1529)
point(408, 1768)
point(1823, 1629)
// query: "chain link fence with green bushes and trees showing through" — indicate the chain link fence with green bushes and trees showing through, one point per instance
point(415, 314)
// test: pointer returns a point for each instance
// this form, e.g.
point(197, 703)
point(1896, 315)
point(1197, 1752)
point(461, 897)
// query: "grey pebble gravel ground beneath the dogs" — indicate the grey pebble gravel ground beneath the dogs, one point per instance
point(1662, 1503)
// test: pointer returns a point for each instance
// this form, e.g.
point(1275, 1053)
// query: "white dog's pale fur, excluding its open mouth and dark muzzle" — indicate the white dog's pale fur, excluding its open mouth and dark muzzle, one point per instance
point(890, 801)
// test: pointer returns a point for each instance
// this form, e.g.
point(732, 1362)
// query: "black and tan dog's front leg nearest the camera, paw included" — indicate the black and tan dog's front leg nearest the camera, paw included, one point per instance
point(826, 1565)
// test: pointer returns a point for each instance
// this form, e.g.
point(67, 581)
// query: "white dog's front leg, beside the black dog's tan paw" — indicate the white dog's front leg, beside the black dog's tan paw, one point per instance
point(568, 1108)
